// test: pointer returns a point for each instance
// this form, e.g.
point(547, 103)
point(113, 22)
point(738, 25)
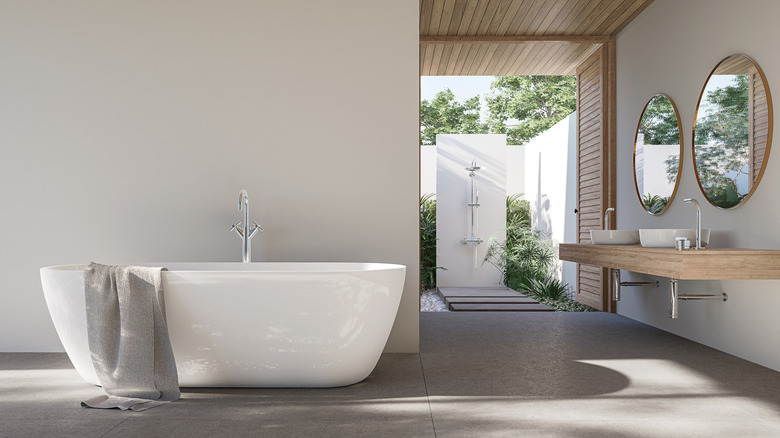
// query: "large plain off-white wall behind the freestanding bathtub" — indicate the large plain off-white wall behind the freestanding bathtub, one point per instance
point(128, 129)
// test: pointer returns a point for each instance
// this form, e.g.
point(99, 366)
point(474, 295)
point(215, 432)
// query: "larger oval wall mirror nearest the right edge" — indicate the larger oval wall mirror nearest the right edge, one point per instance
point(733, 131)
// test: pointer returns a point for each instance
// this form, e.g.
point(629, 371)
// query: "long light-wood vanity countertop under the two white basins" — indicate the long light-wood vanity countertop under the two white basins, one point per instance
point(689, 264)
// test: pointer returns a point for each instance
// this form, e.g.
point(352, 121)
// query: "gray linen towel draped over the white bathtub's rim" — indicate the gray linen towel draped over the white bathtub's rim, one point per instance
point(128, 337)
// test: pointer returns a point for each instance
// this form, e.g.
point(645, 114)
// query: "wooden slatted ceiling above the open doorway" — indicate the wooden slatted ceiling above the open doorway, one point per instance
point(556, 25)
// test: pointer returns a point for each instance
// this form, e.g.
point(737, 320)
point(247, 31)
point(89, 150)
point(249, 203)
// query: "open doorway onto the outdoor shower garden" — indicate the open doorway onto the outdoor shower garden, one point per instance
point(495, 155)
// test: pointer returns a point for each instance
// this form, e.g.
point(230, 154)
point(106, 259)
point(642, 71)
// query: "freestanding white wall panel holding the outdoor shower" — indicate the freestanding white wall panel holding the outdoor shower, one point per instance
point(453, 215)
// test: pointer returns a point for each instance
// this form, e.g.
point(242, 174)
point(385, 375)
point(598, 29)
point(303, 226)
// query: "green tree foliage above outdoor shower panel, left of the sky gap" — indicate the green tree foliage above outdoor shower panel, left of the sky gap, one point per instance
point(445, 115)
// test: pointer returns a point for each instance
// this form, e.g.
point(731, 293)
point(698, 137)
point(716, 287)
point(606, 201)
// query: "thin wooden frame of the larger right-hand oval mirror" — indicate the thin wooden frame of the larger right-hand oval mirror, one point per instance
point(770, 123)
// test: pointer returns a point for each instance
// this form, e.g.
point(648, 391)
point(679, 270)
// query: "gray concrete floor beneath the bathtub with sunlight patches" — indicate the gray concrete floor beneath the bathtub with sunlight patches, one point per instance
point(477, 375)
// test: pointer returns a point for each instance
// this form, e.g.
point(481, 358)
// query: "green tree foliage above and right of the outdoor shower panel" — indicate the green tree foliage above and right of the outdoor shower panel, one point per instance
point(536, 102)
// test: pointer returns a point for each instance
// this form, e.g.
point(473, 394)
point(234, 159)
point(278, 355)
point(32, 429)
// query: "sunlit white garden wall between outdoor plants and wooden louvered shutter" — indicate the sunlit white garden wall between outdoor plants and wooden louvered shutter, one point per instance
point(550, 186)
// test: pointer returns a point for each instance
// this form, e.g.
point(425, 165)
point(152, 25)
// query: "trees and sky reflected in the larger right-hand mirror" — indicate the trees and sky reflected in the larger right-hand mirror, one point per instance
point(722, 143)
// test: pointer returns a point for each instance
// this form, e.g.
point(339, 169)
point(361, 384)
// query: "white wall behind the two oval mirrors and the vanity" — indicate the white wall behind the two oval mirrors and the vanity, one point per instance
point(671, 48)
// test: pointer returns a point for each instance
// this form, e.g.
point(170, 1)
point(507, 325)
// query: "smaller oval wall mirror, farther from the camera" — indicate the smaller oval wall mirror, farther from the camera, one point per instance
point(658, 147)
